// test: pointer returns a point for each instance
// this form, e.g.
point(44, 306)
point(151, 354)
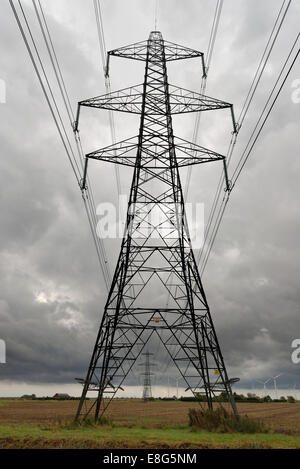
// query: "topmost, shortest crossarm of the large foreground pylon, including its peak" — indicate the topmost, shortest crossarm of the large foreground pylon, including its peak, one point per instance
point(138, 50)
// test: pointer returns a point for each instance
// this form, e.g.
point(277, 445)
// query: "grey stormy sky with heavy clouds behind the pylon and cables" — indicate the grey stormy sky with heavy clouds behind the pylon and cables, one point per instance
point(51, 291)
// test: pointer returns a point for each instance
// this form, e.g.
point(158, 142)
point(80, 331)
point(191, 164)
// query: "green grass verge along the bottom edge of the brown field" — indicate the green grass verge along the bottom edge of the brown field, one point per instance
point(113, 436)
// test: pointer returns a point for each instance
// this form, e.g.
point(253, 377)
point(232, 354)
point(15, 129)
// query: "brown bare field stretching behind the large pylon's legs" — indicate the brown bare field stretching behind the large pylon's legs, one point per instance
point(279, 417)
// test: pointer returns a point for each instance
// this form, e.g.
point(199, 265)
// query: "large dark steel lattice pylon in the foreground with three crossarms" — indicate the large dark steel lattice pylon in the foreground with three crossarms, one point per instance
point(156, 259)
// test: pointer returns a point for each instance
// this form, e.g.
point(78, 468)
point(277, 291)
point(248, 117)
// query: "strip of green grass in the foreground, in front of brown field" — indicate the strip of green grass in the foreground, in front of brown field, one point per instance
point(135, 435)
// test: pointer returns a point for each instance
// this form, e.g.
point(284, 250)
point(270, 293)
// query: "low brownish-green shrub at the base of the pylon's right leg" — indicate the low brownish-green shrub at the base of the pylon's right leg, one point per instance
point(221, 421)
